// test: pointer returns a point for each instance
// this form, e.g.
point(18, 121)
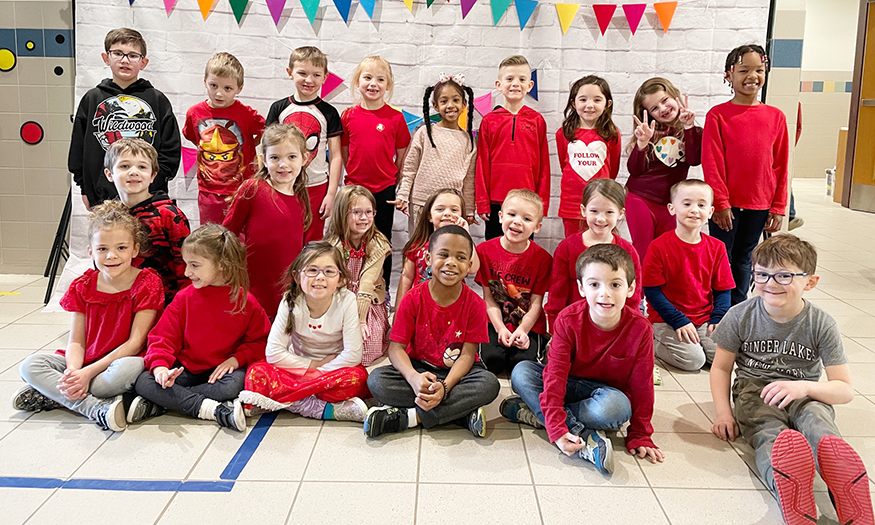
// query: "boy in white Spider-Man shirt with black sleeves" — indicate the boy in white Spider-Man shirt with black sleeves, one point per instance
point(320, 124)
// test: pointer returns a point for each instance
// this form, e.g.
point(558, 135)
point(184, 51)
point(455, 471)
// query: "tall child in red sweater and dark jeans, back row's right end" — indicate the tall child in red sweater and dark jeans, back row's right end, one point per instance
point(750, 182)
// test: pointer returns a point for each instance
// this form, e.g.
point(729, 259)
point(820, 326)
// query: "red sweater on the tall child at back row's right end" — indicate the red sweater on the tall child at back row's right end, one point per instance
point(744, 157)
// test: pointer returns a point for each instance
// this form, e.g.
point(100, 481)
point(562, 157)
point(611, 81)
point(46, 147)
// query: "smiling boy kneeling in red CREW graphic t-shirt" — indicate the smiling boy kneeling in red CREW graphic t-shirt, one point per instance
point(515, 274)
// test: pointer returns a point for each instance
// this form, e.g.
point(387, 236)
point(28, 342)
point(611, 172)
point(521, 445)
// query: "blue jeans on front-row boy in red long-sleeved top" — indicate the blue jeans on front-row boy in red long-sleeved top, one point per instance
point(588, 404)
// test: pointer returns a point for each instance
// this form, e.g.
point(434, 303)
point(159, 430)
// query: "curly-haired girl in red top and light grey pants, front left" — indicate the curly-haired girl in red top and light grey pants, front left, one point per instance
point(113, 308)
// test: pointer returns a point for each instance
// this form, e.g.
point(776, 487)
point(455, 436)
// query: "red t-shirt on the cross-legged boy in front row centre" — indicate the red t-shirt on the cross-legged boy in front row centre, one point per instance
point(435, 334)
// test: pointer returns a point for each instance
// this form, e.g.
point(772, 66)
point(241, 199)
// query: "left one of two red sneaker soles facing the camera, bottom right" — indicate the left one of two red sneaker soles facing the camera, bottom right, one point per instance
point(793, 469)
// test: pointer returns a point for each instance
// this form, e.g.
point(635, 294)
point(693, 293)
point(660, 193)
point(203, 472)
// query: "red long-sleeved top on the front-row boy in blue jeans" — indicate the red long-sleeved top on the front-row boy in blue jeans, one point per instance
point(621, 358)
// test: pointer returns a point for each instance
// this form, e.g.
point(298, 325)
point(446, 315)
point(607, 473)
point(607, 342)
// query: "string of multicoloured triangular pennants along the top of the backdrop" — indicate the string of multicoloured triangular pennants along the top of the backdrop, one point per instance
point(524, 8)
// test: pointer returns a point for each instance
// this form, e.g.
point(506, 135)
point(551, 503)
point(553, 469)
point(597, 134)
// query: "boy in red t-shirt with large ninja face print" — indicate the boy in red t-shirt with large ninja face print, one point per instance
point(225, 132)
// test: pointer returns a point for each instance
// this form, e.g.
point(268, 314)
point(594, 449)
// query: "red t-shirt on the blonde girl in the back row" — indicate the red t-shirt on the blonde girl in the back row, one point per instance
point(373, 137)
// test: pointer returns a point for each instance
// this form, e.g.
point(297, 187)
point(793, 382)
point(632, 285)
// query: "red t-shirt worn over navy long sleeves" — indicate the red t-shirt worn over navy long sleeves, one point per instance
point(695, 271)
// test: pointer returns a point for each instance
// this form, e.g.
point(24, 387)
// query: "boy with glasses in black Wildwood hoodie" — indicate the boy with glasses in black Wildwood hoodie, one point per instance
point(122, 107)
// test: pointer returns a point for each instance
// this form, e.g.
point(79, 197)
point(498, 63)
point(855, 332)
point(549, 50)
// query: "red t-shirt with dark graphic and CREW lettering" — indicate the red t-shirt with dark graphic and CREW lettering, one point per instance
point(513, 278)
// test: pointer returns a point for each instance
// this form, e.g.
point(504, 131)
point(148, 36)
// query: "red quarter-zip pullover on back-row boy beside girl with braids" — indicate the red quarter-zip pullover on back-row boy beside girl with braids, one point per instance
point(512, 153)
